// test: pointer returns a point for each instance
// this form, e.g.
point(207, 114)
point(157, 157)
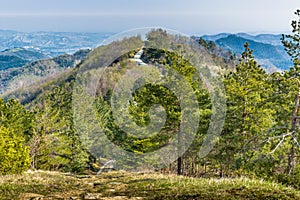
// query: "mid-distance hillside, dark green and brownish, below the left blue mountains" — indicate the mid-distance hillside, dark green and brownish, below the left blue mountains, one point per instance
point(35, 73)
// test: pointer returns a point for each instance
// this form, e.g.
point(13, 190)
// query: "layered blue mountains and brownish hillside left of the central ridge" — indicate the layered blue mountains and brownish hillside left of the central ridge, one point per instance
point(29, 58)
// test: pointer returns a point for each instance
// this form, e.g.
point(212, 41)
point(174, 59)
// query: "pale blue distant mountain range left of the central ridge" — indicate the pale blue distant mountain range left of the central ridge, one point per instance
point(50, 43)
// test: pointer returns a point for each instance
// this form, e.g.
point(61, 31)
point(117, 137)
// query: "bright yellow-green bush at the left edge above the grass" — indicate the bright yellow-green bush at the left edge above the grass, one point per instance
point(14, 155)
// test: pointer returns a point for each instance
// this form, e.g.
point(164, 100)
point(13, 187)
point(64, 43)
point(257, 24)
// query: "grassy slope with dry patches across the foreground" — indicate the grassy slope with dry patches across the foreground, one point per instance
point(122, 185)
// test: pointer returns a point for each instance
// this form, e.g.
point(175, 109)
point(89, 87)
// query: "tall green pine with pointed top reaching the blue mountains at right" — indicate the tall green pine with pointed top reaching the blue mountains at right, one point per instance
point(249, 115)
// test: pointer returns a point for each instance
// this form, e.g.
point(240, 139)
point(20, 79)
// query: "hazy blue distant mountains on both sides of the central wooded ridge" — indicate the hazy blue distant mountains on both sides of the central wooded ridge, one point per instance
point(268, 49)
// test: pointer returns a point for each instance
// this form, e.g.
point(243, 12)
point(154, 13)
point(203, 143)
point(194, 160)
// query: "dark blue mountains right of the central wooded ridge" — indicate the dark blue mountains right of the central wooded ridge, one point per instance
point(268, 49)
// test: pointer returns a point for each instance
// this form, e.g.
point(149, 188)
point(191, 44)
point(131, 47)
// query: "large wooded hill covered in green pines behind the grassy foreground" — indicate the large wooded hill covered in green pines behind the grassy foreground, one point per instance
point(259, 138)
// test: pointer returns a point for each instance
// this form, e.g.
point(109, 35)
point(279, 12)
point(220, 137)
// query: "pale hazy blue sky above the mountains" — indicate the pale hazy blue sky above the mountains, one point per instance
point(188, 16)
